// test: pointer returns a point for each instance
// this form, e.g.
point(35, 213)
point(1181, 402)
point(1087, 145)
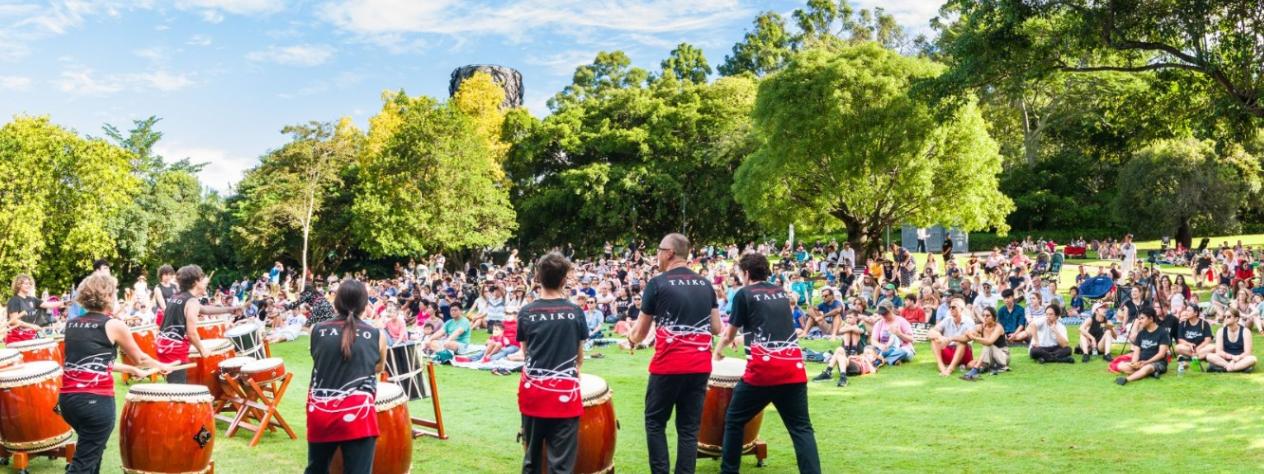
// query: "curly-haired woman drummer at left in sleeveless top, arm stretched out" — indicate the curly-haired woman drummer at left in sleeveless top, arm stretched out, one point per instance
point(87, 399)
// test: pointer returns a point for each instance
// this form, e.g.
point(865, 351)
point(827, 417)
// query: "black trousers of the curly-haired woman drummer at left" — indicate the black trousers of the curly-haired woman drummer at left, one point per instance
point(92, 416)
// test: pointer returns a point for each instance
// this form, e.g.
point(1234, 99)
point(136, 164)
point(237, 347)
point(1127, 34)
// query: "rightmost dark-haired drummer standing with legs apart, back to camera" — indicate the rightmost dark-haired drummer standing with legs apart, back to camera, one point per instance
point(774, 367)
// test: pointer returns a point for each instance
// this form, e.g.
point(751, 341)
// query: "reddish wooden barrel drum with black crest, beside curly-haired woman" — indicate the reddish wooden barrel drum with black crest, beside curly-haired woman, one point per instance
point(162, 437)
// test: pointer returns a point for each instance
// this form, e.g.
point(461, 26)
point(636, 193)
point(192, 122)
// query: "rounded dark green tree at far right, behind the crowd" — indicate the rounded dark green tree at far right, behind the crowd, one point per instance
point(1184, 186)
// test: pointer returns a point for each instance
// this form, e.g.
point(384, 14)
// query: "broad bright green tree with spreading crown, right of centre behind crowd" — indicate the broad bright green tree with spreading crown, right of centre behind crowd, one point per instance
point(845, 145)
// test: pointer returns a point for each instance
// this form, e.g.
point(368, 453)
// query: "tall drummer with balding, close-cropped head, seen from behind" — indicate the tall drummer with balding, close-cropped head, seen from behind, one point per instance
point(682, 308)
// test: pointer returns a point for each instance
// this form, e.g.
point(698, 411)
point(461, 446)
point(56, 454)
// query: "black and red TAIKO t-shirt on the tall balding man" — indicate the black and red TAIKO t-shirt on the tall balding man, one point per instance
point(681, 303)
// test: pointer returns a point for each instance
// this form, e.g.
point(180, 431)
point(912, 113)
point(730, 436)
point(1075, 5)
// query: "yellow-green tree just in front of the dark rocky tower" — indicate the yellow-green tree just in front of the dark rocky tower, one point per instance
point(429, 183)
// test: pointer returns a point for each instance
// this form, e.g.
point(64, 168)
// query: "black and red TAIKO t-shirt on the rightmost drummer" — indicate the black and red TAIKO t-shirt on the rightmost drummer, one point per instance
point(763, 313)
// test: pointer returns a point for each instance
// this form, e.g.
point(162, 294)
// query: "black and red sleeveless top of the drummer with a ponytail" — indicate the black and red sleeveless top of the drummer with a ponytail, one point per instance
point(343, 391)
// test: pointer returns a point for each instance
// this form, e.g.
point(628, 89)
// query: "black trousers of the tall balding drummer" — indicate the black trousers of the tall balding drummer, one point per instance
point(684, 394)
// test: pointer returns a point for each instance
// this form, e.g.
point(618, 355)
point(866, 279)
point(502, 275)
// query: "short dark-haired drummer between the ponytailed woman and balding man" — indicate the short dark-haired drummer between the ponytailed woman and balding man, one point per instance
point(553, 332)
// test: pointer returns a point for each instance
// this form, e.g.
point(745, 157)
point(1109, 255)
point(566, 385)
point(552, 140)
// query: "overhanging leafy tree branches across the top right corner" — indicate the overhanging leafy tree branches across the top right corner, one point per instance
point(1218, 42)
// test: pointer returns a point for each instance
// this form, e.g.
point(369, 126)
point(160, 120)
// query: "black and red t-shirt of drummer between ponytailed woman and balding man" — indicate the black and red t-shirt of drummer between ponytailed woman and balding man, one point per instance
point(550, 332)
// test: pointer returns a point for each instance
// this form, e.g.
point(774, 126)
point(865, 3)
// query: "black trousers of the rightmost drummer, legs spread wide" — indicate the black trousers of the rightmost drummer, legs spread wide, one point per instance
point(792, 404)
